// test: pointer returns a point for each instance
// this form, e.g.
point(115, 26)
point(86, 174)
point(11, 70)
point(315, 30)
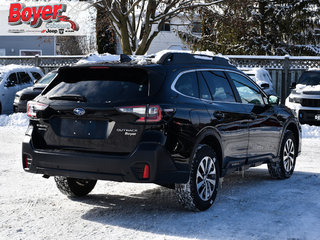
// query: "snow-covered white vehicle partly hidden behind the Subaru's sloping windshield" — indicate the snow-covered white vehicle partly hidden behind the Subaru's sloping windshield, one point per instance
point(261, 77)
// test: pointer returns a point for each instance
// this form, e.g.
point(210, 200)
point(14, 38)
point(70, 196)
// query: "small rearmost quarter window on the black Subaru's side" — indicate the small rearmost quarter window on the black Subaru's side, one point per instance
point(187, 85)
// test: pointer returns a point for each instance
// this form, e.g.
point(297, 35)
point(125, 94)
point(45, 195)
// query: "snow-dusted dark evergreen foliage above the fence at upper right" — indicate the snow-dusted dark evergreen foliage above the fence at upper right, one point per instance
point(261, 27)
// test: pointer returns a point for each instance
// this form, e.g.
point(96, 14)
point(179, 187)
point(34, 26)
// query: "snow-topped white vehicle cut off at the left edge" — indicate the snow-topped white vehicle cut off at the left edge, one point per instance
point(12, 79)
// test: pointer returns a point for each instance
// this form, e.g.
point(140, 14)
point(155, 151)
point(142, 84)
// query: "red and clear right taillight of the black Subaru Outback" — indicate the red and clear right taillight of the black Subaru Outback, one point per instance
point(151, 113)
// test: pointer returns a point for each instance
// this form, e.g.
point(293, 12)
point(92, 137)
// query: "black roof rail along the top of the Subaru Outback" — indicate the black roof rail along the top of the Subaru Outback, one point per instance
point(185, 58)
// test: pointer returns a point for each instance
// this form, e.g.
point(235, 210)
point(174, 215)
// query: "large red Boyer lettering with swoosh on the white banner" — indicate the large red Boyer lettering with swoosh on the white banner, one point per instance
point(35, 16)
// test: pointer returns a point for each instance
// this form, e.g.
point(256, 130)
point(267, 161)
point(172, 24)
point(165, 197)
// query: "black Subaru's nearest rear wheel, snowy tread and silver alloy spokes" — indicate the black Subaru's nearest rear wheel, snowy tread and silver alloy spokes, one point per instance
point(205, 170)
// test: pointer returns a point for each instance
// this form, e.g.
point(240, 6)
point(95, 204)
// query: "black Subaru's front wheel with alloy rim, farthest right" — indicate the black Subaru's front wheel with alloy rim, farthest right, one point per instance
point(284, 168)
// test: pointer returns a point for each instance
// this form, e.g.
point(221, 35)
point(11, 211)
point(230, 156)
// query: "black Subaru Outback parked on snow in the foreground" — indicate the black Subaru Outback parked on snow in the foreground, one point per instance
point(180, 121)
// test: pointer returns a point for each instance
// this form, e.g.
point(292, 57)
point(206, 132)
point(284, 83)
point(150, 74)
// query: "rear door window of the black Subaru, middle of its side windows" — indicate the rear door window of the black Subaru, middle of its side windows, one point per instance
point(219, 86)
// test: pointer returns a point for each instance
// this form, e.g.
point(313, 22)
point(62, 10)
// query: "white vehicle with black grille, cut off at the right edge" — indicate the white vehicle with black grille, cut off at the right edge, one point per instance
point(304, 99)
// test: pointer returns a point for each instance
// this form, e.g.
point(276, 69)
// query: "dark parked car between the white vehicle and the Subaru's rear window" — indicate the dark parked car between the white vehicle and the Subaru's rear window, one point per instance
point(29, 93)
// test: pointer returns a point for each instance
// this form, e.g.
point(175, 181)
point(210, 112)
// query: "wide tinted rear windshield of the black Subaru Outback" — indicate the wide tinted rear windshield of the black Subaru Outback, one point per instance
point(101, 85)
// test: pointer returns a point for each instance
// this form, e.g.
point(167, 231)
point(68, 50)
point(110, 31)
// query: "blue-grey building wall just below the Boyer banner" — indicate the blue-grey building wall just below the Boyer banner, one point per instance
point(27, 45)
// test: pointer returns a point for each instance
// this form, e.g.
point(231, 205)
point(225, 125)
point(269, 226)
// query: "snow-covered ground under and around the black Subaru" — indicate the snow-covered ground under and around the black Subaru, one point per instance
point(250, 207)
